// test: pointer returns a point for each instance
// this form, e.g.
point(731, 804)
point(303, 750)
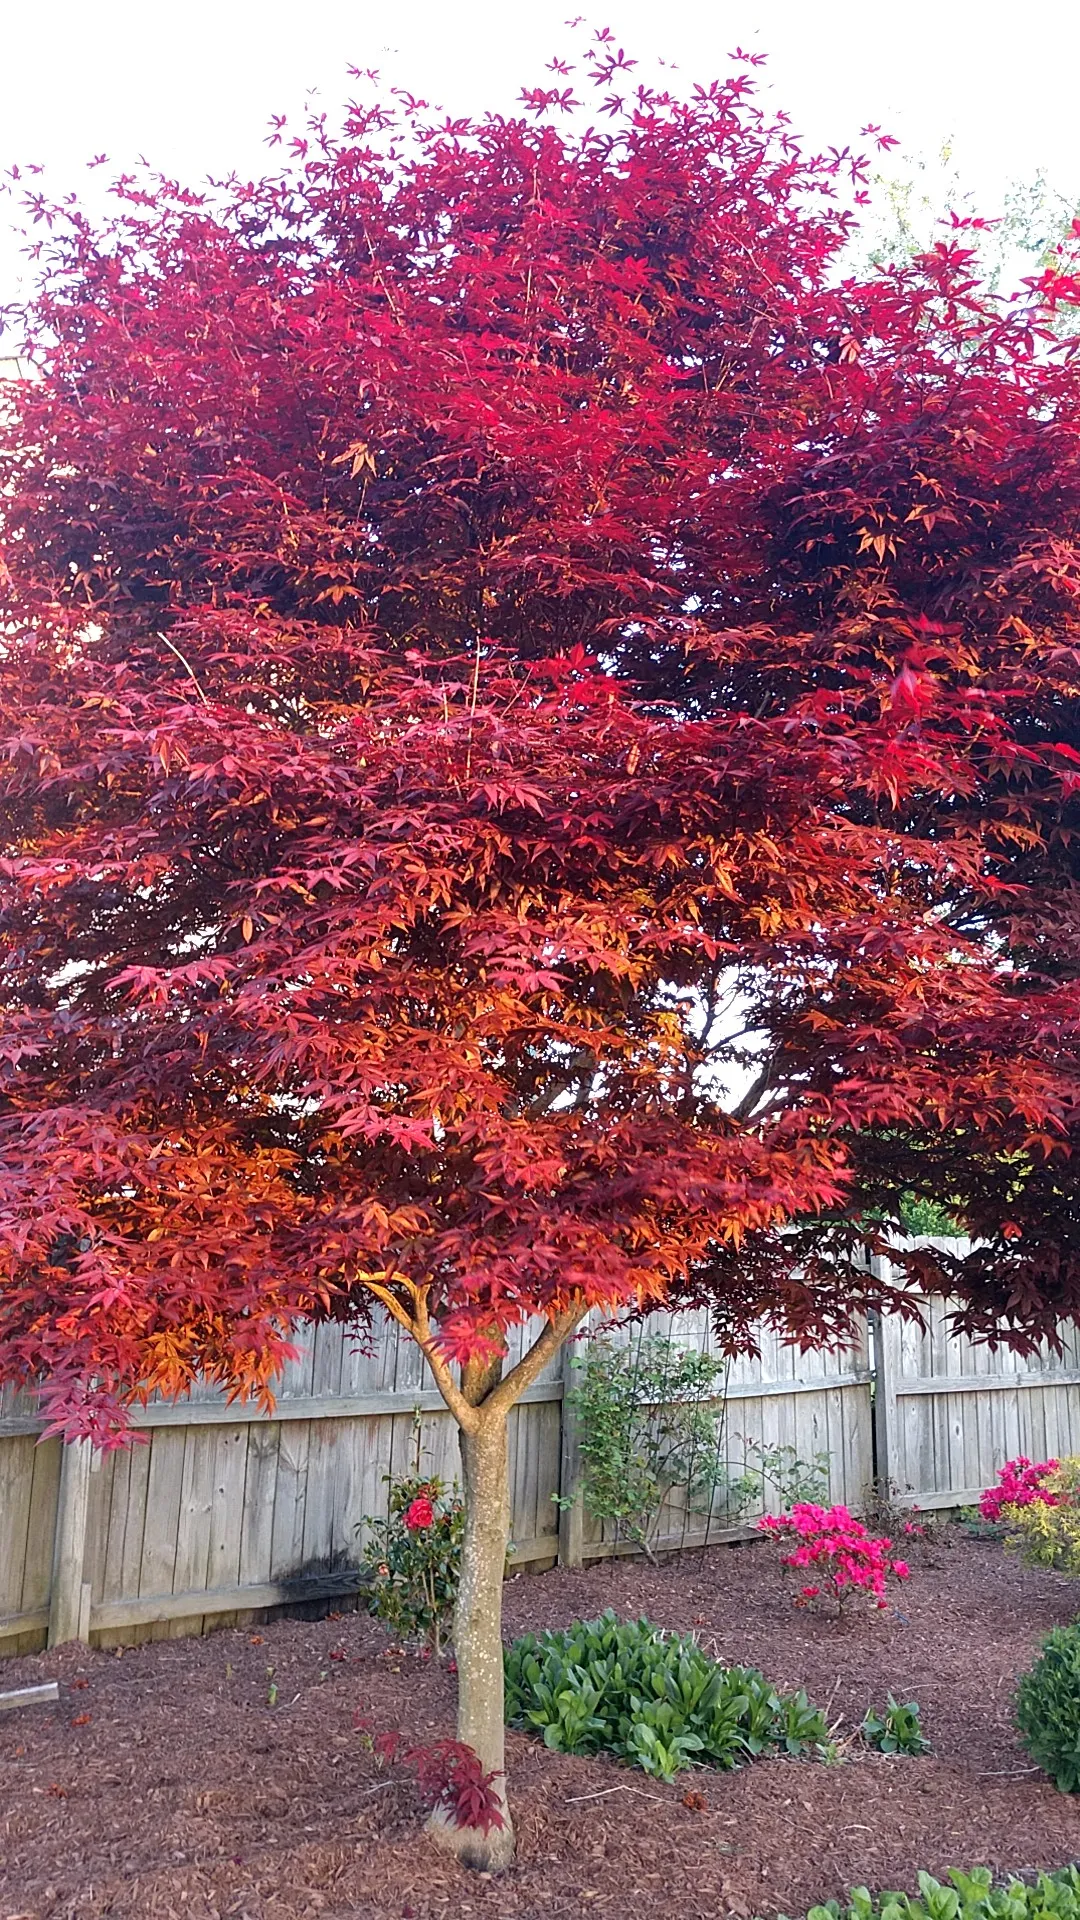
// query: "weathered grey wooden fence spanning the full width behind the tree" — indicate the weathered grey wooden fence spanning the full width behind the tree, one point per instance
point(220, 1512)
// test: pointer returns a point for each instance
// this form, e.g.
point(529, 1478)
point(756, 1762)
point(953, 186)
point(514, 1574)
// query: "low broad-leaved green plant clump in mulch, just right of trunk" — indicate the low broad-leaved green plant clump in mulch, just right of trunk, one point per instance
point(652, 1698)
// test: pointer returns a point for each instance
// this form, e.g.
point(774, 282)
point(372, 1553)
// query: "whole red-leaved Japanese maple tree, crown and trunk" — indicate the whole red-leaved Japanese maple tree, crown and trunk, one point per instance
point(541, 754)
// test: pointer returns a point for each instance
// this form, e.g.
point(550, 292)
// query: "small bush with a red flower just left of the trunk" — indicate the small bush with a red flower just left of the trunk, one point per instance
point(414, 1560)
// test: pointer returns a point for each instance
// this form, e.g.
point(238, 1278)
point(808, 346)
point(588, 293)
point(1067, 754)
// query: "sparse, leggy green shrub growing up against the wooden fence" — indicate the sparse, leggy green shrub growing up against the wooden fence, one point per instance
point(650, 1420)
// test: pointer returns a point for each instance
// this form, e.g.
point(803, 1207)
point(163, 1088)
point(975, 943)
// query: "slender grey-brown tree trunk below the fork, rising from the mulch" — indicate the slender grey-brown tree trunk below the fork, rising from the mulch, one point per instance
point(478, 1635)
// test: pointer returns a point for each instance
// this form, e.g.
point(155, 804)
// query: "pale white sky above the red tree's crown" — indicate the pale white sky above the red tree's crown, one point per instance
point(193, 85)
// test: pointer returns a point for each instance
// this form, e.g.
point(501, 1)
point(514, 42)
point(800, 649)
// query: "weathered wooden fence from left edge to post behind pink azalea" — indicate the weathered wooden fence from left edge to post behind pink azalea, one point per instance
point(220, 1512)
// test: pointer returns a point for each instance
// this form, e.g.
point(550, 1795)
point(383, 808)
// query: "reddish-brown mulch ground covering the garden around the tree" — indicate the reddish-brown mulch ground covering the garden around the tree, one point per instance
point(168, 1787)
